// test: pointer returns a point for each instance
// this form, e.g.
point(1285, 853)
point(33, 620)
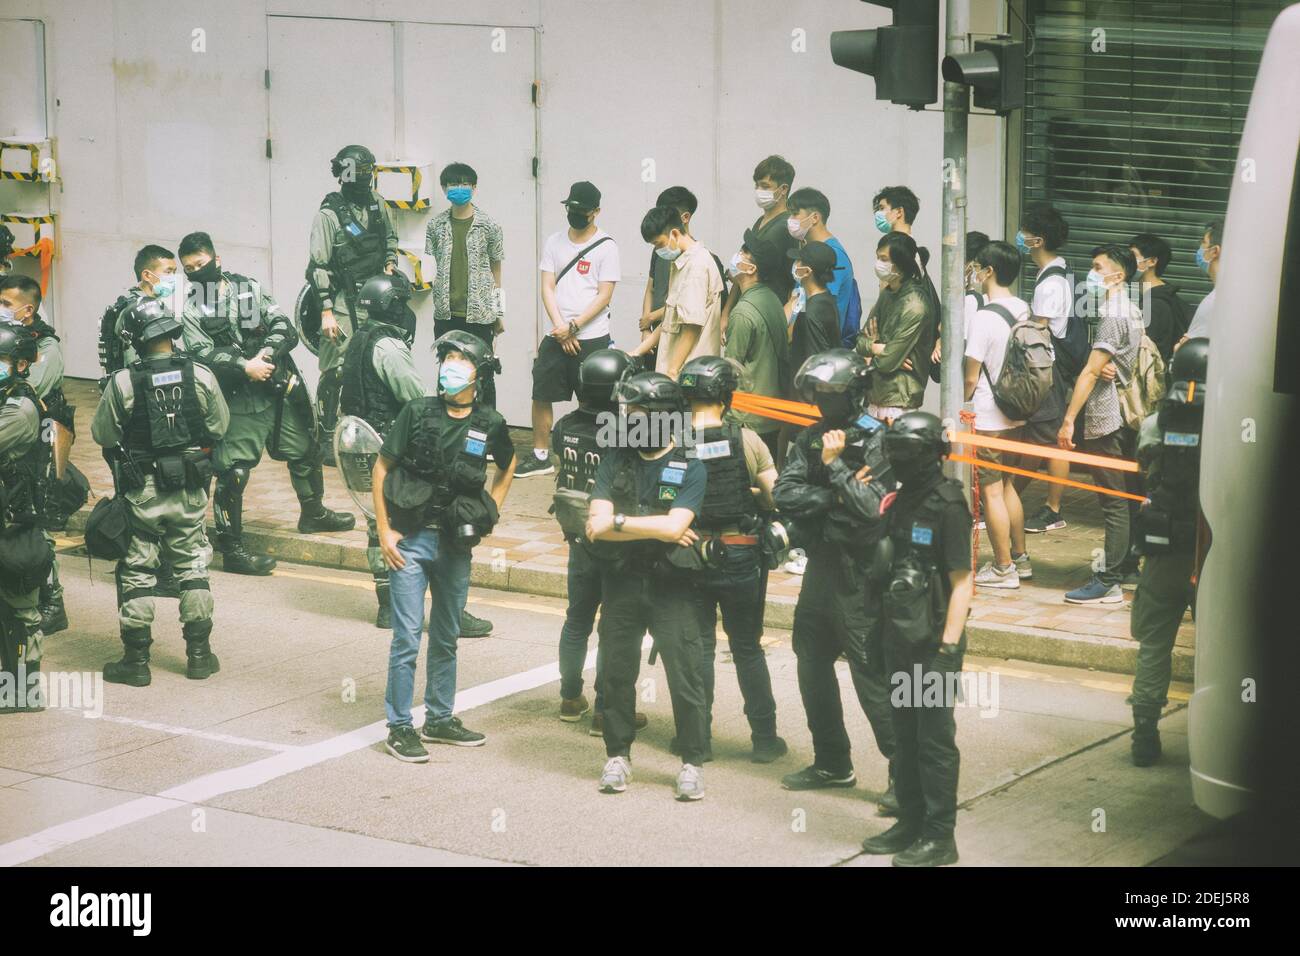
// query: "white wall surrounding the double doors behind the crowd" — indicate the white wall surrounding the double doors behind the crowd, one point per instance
point(155, 140)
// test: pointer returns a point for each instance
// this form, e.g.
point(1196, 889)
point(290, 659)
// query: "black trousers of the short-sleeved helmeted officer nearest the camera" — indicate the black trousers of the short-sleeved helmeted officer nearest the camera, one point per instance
point(926, 762)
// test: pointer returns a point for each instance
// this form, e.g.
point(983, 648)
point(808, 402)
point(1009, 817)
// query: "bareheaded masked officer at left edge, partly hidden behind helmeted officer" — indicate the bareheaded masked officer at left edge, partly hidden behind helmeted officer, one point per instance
point(20, 304)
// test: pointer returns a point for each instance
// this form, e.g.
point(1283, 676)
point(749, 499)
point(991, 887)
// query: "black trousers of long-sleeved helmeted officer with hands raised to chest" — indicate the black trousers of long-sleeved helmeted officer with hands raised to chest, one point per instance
point(831, 620)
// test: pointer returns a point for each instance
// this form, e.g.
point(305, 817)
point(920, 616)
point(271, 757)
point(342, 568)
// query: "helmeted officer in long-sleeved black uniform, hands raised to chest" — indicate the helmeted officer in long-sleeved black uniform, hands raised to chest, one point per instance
point(840, 522)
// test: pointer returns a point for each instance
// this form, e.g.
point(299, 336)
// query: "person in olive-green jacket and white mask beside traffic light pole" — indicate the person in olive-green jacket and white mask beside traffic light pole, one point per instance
point(900, 335)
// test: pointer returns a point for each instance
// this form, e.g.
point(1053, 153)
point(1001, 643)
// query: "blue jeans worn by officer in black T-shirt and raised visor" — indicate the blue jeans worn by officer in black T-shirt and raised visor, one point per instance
point(445, 573)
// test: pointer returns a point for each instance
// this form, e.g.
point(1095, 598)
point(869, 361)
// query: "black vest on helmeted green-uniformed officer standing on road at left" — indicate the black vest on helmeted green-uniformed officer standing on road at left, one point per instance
point(166, 416)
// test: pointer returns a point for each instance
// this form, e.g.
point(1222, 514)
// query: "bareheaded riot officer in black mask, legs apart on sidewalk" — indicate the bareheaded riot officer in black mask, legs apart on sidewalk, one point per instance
point(236, 328)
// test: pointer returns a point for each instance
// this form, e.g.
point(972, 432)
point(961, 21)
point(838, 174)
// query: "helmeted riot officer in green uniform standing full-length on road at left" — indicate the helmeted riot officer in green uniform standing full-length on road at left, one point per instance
point(157, 422)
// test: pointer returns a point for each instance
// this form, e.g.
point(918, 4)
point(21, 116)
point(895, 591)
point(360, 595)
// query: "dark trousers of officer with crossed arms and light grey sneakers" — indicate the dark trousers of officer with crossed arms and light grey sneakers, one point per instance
point(665, 605)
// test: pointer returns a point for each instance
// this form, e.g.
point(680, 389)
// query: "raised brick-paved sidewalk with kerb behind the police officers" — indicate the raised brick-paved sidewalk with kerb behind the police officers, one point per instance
point(527, 553)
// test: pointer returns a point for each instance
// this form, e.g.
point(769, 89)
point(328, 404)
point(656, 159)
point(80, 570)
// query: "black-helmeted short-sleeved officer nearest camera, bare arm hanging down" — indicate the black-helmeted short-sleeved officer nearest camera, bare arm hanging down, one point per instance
point(925, 618)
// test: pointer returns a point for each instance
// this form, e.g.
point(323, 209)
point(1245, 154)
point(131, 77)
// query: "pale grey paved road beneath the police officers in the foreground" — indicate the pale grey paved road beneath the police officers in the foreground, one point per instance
point(279, 759)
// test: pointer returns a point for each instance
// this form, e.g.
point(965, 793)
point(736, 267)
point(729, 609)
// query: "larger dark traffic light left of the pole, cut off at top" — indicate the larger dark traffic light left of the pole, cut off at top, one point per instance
point(903, 58)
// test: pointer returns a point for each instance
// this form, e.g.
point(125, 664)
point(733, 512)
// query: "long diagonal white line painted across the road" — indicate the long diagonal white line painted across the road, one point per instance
point(259, 773)
